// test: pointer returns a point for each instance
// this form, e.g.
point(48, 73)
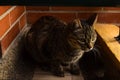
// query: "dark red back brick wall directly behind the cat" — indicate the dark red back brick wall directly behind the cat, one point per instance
point(106, 14)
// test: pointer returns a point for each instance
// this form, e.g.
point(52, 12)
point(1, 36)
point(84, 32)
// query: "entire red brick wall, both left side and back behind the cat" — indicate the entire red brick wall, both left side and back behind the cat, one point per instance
point(13, 18)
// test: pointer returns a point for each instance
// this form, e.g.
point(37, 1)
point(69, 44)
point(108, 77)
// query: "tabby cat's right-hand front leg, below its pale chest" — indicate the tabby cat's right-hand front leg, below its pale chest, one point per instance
point(74, 69)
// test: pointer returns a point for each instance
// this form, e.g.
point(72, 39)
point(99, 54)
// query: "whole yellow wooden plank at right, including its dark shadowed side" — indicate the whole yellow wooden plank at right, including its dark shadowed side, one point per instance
point(107, 32)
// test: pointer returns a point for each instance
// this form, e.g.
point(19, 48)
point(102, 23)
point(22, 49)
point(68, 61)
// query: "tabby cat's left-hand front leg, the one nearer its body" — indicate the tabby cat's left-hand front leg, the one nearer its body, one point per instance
point(57, 69)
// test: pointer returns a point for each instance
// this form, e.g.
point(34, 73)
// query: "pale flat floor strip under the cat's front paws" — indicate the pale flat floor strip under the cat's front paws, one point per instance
point(42, 75)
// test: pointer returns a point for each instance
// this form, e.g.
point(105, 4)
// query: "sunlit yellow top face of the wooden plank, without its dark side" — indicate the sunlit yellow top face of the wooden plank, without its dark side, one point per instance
point(107, 32)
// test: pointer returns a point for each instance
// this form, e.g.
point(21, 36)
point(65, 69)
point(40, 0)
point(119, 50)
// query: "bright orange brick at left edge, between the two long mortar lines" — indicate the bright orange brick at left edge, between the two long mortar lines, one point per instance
point(4, 25)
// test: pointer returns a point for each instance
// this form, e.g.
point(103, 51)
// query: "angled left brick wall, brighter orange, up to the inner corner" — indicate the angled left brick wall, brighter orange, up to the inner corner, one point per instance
point(12, 20)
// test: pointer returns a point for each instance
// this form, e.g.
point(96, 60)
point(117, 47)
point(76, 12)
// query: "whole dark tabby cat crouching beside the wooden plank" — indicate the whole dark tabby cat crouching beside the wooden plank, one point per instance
point(57, 45)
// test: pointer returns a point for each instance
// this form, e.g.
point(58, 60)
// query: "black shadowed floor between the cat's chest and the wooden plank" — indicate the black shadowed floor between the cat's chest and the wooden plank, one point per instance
point(94, 66)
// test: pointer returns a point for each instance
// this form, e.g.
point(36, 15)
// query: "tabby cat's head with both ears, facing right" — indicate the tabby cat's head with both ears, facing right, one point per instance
point(82, 34)
